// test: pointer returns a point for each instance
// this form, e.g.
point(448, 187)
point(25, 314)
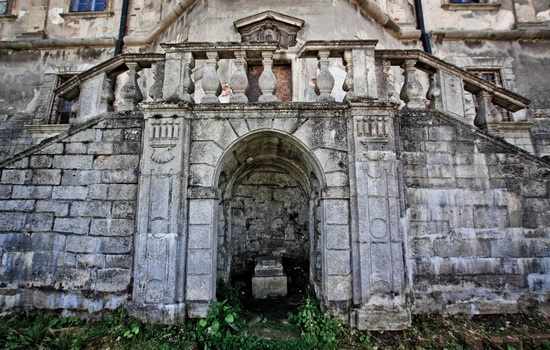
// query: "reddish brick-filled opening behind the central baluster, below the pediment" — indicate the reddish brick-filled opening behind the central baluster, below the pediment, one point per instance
point(283, 90)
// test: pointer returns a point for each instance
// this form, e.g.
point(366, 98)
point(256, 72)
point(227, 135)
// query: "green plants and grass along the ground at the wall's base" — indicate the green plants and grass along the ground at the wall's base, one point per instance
point(307, 328)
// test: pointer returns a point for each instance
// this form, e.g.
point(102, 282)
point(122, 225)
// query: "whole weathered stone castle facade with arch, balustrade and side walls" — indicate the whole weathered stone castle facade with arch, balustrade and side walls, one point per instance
point(150, 150)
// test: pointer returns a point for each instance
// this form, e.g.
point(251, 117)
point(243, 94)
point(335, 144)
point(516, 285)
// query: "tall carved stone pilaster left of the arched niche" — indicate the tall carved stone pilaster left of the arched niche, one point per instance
point(160, 245)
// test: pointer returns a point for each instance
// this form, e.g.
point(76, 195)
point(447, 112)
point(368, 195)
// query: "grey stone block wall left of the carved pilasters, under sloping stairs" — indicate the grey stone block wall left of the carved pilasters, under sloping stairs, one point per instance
point(67, 218)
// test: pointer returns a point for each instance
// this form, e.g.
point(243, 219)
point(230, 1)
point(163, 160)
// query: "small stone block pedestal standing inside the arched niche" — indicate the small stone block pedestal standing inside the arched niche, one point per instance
point(269, 279)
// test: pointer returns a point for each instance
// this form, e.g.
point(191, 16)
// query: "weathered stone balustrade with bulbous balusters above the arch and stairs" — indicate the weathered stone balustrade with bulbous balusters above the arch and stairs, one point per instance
point(369, 76)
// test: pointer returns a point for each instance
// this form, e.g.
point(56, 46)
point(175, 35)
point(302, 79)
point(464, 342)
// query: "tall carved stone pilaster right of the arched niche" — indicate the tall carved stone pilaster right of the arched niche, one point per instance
point(379, 289)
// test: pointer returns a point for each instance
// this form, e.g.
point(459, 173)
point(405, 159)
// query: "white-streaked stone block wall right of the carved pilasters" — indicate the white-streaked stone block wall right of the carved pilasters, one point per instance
point(479, 227)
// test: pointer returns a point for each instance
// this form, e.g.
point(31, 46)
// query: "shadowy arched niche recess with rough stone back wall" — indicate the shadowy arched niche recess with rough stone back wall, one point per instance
point(269, 188)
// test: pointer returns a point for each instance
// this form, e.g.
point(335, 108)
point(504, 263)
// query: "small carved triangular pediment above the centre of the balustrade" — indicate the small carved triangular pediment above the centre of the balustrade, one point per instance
point(269, 27)
